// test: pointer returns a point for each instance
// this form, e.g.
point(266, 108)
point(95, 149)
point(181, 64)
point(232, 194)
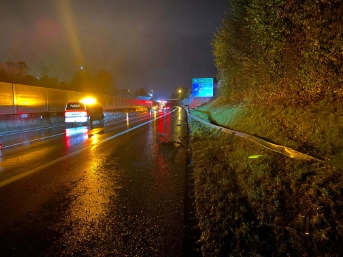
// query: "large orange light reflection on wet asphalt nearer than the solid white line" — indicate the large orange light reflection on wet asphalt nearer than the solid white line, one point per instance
point(91, 200)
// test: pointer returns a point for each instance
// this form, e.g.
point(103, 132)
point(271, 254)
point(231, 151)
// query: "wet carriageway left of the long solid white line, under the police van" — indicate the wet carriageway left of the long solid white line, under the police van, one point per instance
point(28, 149)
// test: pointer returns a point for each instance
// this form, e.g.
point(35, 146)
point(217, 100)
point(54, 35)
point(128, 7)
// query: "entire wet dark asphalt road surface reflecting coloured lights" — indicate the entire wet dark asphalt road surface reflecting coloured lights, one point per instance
point(112, 190)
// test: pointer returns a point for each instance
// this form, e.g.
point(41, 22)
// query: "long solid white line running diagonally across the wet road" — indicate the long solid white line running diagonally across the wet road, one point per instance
point(32, 171)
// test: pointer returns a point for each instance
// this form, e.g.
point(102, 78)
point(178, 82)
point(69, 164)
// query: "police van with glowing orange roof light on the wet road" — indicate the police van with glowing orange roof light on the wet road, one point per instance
point(83, 112)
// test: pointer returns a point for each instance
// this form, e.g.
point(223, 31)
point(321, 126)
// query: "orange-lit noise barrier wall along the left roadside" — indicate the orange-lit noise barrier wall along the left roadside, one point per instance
point(22, 99)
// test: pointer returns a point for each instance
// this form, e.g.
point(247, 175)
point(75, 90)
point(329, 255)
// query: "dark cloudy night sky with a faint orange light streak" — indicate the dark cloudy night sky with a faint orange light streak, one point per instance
point(153, 44)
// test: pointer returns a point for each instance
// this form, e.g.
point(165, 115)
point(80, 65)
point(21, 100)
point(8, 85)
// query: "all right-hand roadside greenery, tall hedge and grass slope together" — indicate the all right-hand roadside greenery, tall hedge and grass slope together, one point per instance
point(280, 65)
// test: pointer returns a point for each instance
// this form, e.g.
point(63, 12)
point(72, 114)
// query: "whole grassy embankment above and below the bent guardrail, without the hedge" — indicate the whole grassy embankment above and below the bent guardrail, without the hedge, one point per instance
point(271, 205)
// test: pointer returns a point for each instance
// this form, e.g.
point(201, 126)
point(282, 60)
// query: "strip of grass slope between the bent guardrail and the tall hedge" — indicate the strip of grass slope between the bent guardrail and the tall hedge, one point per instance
point(315, 129)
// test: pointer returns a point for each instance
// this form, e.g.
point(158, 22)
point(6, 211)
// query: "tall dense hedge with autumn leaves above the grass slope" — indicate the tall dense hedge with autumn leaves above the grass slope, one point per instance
point(286, 50)
